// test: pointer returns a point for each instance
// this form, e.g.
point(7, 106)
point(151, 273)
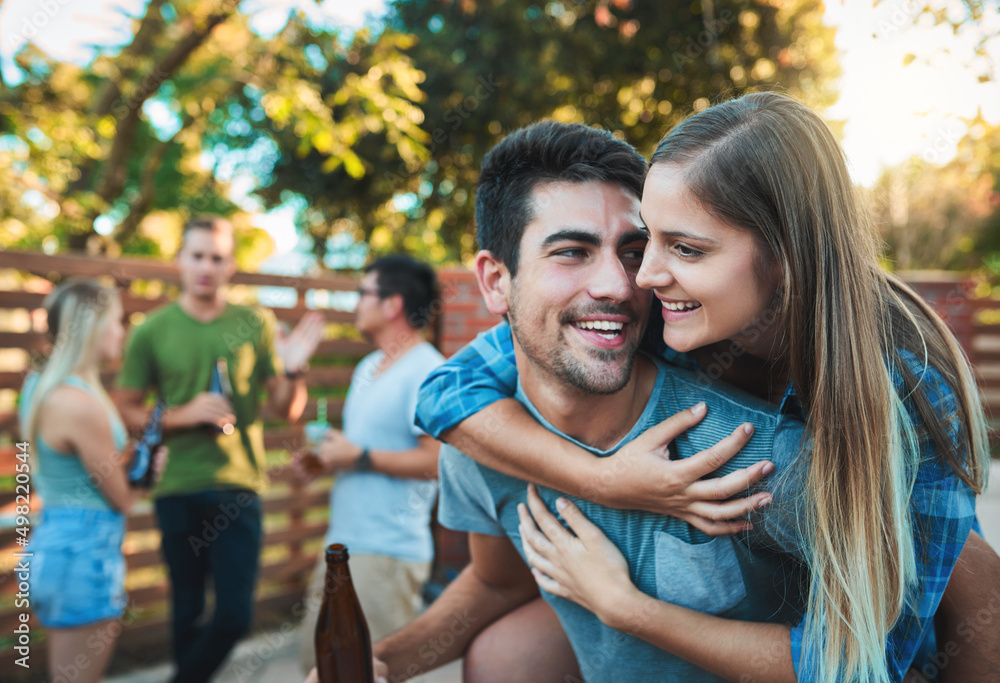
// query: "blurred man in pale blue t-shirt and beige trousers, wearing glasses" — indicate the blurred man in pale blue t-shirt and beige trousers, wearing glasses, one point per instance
point(380, 505)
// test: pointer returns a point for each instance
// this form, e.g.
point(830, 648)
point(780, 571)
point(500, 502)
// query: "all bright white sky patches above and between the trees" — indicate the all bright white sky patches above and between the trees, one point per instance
point(892, 111)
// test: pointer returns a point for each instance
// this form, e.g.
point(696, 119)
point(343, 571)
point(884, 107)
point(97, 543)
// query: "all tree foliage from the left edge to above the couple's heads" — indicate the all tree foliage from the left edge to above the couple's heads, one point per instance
point(376, 135)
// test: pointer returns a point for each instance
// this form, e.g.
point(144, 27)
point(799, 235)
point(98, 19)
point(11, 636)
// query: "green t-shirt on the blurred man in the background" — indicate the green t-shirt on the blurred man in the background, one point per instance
point(173, 354)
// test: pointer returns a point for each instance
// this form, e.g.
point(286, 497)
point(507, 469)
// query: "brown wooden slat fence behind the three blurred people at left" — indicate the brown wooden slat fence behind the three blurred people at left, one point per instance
point(295, 515)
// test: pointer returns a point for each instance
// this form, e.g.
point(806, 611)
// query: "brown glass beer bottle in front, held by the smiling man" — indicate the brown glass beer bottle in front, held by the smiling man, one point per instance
point(343, 644)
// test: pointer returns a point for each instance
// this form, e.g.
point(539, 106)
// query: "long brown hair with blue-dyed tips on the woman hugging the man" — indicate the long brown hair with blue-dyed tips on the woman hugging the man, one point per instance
point(766, 163)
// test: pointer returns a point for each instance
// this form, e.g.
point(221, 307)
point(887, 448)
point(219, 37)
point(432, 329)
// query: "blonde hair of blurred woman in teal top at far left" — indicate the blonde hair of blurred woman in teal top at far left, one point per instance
point(77, 313)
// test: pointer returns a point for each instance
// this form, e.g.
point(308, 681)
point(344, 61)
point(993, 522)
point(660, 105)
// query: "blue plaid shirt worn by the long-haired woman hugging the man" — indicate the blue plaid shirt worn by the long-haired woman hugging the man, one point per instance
point(942, 506)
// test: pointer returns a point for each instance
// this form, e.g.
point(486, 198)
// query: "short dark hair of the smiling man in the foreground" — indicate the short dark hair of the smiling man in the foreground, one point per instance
point(544, 152)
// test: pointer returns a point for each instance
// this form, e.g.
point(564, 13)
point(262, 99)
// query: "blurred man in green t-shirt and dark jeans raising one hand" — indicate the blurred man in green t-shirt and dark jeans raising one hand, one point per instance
point(207, 502)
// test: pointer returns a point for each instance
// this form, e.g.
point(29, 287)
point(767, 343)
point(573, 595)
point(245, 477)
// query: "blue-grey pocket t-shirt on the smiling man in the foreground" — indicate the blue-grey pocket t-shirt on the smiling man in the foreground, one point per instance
point(737, 577)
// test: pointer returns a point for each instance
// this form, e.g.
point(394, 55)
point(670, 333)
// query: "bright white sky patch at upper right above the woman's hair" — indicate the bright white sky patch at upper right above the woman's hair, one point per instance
point(892, 111)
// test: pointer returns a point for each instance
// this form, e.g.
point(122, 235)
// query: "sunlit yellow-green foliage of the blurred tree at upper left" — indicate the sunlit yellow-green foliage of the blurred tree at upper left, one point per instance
point(82, 144)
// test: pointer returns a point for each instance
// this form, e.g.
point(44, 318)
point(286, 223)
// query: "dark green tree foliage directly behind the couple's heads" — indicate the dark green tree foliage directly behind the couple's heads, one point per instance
point(495, 65)
